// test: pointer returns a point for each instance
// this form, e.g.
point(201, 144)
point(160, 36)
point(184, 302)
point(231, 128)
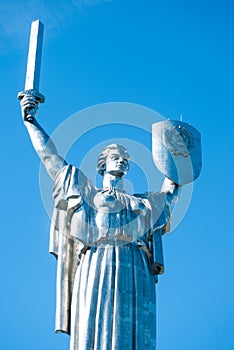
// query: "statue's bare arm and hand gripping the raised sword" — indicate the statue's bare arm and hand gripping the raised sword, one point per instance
point(41, 142)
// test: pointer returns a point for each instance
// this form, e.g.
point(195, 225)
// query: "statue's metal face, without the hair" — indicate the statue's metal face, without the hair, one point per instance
point(116, 163)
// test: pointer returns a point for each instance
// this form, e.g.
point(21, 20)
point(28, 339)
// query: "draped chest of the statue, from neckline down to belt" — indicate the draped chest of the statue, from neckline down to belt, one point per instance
point(107, 215)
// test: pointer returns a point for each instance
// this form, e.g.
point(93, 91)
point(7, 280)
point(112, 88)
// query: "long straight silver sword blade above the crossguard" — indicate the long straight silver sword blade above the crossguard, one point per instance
point(34, 56)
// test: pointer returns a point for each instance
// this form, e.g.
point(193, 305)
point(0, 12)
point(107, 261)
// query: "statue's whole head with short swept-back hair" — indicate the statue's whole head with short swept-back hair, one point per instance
point(114, 159)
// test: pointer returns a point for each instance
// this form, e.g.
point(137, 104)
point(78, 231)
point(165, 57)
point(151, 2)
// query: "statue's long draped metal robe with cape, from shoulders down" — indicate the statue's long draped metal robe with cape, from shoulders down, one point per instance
point(108, 249)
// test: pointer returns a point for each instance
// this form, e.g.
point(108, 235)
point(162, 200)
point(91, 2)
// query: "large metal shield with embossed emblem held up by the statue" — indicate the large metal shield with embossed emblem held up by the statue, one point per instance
point(176, 148)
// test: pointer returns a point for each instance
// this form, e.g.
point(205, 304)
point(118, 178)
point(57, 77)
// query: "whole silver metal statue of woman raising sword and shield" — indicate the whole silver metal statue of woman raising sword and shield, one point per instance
point(108, 244)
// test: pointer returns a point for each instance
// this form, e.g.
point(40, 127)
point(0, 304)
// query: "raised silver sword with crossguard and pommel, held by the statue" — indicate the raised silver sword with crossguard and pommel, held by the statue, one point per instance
point(32, 80)
